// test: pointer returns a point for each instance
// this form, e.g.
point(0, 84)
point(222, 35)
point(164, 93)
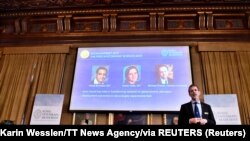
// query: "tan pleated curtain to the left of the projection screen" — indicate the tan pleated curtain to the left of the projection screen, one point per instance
point(24, 75)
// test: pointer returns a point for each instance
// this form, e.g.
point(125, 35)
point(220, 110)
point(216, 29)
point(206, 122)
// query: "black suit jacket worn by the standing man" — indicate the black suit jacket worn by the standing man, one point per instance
point(186, 112)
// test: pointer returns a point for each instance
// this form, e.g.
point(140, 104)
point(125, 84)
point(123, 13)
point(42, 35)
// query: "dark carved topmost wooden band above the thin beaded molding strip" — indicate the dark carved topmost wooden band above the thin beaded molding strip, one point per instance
point(14, 5)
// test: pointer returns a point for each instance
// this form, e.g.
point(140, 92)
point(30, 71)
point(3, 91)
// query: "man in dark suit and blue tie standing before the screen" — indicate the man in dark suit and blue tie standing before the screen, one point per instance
point(195, 111)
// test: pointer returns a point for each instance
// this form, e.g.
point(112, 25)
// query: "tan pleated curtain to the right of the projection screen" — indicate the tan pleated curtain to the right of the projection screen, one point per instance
point(228, 72)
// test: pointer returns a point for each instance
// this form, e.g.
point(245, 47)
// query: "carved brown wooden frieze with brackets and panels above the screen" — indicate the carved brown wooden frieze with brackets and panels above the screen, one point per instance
point(134, 21)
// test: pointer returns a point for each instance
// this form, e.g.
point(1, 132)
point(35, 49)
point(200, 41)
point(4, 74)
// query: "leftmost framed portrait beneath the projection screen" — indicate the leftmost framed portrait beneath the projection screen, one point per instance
point(84, 118)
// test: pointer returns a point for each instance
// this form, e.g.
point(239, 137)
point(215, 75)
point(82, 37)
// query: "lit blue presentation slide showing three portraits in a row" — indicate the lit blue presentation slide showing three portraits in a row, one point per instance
point(145, 78)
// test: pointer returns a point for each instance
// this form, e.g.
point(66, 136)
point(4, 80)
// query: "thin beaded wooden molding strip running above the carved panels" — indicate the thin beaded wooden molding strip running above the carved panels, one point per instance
point(125, 10)
